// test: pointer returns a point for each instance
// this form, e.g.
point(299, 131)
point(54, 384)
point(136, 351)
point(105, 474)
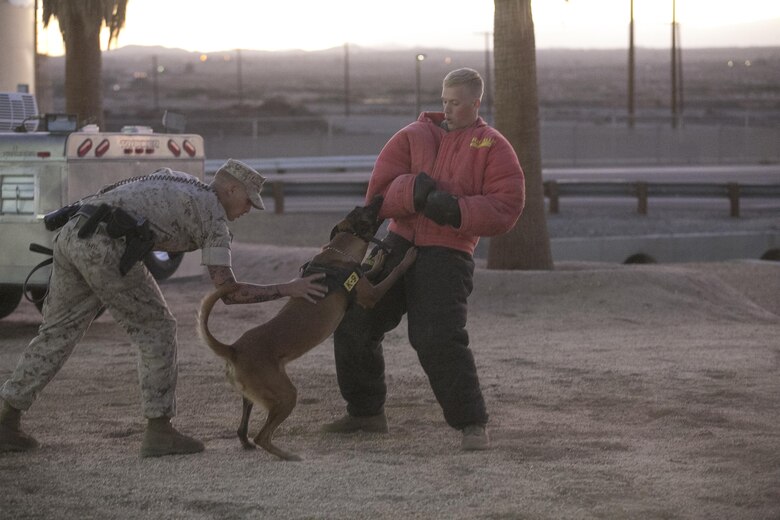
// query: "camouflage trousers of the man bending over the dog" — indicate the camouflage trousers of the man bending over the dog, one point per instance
point(85, 277)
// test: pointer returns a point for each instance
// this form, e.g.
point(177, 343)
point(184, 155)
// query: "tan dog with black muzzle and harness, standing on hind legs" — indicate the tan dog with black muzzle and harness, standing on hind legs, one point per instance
point(256, 361)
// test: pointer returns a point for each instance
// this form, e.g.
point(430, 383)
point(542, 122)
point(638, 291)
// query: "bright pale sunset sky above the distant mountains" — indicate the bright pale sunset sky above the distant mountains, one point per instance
point(200, 25)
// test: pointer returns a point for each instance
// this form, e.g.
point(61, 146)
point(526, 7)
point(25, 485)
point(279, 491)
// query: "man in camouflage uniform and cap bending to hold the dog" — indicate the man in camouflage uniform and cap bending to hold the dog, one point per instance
point(183, 214)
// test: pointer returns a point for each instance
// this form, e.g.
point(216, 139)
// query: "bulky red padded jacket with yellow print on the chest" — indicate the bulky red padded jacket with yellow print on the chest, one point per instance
point(477, 164)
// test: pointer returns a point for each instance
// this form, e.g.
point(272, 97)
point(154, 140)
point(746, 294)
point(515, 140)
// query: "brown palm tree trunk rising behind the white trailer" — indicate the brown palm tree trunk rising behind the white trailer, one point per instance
point(83, 65)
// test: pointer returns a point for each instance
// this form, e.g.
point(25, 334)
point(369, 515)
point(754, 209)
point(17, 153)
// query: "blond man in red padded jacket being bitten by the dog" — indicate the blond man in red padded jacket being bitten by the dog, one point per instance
point(447, 179)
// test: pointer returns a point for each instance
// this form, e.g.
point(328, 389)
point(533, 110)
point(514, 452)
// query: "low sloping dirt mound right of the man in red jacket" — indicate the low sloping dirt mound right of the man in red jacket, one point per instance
point(661, 294)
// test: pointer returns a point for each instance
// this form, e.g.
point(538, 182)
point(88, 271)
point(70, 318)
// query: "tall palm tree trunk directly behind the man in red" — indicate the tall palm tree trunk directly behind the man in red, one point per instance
point(527, 245)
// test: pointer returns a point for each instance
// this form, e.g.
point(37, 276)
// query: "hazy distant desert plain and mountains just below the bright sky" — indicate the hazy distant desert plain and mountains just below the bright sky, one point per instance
point(140, 79)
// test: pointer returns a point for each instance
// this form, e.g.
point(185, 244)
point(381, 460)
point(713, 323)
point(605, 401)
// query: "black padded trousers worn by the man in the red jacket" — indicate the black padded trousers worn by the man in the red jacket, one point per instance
point(434, 294)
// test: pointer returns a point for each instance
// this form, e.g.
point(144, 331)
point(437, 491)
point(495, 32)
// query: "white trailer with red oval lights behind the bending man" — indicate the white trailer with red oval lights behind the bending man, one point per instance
point(42, 171)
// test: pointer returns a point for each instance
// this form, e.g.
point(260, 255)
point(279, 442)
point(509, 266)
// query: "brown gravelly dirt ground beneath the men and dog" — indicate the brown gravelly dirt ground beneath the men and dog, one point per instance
point(642, 392)
